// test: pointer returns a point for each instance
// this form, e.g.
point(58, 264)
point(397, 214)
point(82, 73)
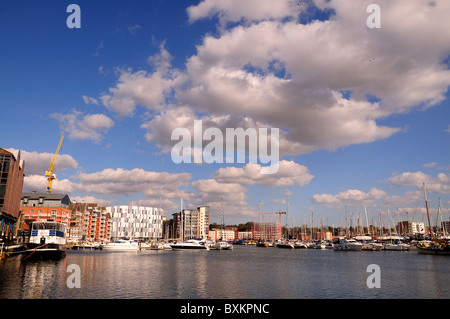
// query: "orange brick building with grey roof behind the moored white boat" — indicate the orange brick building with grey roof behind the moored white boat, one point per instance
point(36, 206)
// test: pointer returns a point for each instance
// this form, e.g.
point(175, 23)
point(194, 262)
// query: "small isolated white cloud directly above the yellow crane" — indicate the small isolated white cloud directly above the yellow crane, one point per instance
point(83, 127)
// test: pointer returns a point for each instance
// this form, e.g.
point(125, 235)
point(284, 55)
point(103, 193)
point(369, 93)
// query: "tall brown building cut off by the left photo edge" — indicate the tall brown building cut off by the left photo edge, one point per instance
point(11, 183)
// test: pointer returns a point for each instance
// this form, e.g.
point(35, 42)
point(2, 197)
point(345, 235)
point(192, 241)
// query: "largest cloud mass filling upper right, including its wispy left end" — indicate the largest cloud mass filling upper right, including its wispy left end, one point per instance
point(326, 84)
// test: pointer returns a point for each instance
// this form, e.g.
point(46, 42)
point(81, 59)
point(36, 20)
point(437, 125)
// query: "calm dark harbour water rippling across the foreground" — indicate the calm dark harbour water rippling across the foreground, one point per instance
point(246, 272)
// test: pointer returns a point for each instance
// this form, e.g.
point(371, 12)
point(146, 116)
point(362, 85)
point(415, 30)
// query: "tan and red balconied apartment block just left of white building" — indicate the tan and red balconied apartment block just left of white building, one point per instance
point(90, 223)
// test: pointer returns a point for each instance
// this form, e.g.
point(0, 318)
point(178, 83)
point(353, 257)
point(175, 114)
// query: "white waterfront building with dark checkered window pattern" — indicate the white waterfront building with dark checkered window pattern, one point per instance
point(137, 222)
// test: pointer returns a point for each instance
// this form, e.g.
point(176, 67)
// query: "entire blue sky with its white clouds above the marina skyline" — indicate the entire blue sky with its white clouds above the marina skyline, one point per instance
point(364, 113)
